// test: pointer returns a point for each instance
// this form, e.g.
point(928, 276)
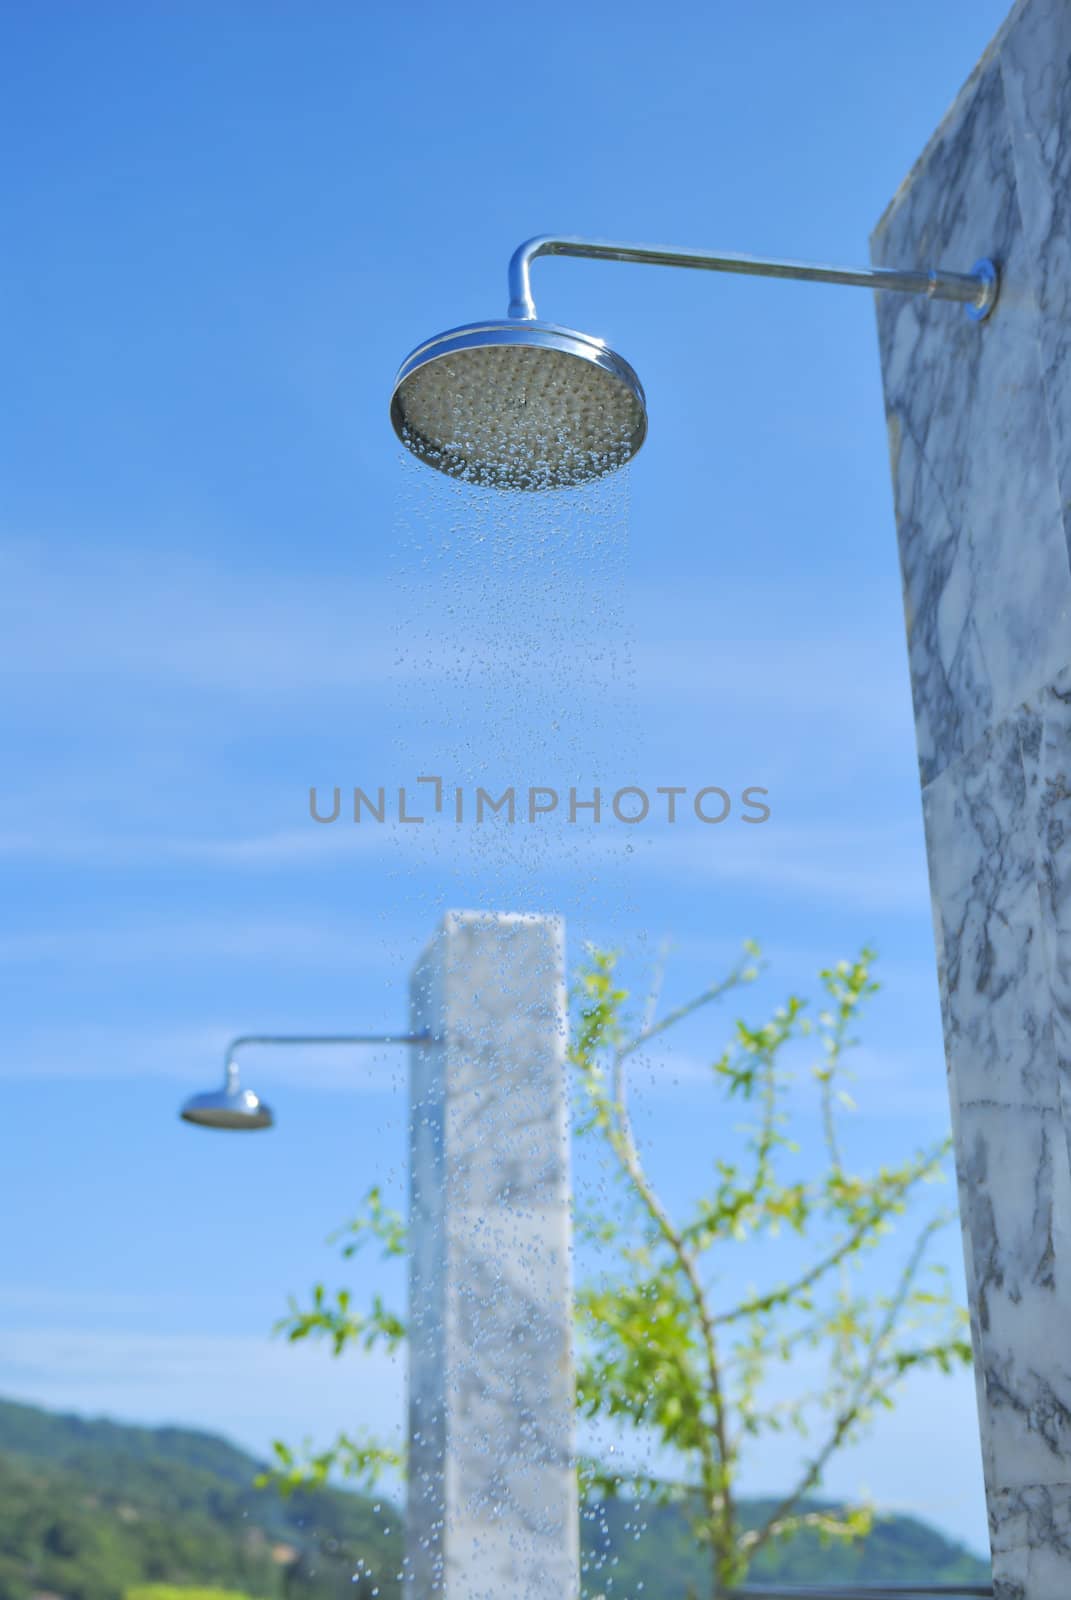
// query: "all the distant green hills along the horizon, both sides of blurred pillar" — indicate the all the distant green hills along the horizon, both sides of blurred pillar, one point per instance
point(92, 1510)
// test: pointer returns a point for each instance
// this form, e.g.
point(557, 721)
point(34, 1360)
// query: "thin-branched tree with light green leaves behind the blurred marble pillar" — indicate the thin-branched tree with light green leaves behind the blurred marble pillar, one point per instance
point(657, 1351)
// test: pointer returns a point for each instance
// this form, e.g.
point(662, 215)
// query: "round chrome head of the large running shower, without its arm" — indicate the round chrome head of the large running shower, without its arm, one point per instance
point(519, 406)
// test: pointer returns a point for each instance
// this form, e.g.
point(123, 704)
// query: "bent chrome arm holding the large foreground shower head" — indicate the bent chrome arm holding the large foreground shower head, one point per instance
point(976, 290)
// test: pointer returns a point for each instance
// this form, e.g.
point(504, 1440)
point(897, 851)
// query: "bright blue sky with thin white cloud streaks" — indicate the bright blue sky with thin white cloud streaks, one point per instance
point(222, 583)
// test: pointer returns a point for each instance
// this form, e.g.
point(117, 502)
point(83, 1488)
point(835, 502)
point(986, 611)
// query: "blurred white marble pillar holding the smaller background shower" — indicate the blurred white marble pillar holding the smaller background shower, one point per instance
point(492, 1490)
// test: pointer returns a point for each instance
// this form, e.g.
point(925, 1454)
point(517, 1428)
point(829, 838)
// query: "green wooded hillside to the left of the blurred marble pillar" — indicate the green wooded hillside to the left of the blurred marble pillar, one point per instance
point(92, 1508)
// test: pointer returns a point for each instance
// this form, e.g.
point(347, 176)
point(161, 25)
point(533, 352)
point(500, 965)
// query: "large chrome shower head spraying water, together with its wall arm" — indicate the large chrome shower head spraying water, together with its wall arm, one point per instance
point(529, 406)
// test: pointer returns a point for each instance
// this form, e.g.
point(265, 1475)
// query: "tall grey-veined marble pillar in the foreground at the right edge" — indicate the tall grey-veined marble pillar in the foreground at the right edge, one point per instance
point(981, 444)
